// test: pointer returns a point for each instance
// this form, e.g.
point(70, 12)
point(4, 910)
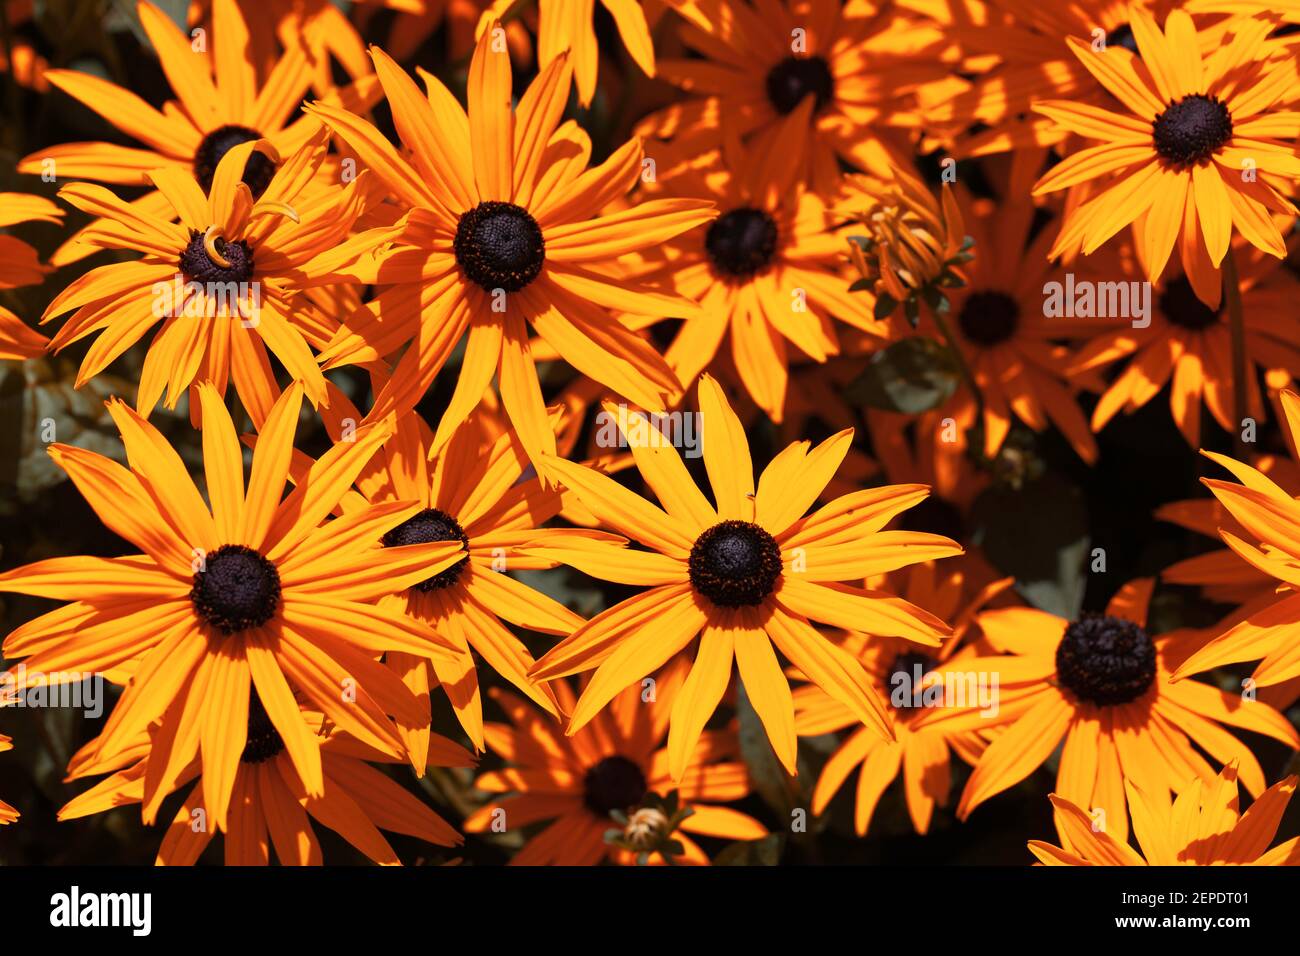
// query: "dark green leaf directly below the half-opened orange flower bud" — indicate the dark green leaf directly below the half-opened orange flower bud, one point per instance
point(911, 377)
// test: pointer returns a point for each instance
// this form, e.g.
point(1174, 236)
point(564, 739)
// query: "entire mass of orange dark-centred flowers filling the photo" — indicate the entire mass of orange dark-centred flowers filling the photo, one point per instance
point(597, 435)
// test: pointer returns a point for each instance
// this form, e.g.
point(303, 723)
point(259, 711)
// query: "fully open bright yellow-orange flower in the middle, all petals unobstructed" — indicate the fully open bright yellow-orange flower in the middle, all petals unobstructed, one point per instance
point(748, 572)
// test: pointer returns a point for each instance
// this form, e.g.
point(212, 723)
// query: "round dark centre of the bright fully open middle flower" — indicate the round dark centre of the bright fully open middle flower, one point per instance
point(735, 565)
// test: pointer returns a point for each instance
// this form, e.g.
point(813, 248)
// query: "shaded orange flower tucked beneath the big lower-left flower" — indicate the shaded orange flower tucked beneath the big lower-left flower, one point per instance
point(272, 801)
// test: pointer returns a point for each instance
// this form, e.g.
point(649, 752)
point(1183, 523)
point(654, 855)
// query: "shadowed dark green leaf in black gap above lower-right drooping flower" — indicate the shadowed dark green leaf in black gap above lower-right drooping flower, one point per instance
point(1038, 534)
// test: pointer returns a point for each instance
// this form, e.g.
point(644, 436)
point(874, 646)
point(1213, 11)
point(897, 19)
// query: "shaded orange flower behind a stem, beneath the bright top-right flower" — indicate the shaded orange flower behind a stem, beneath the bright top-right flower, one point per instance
point(1189, 347)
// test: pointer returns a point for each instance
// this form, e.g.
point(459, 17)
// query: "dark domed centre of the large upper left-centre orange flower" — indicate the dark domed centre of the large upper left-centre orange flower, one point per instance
point(500, 246)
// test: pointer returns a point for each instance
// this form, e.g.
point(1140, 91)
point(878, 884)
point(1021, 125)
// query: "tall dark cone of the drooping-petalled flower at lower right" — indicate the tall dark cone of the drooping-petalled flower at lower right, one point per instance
point(1106, 660)
